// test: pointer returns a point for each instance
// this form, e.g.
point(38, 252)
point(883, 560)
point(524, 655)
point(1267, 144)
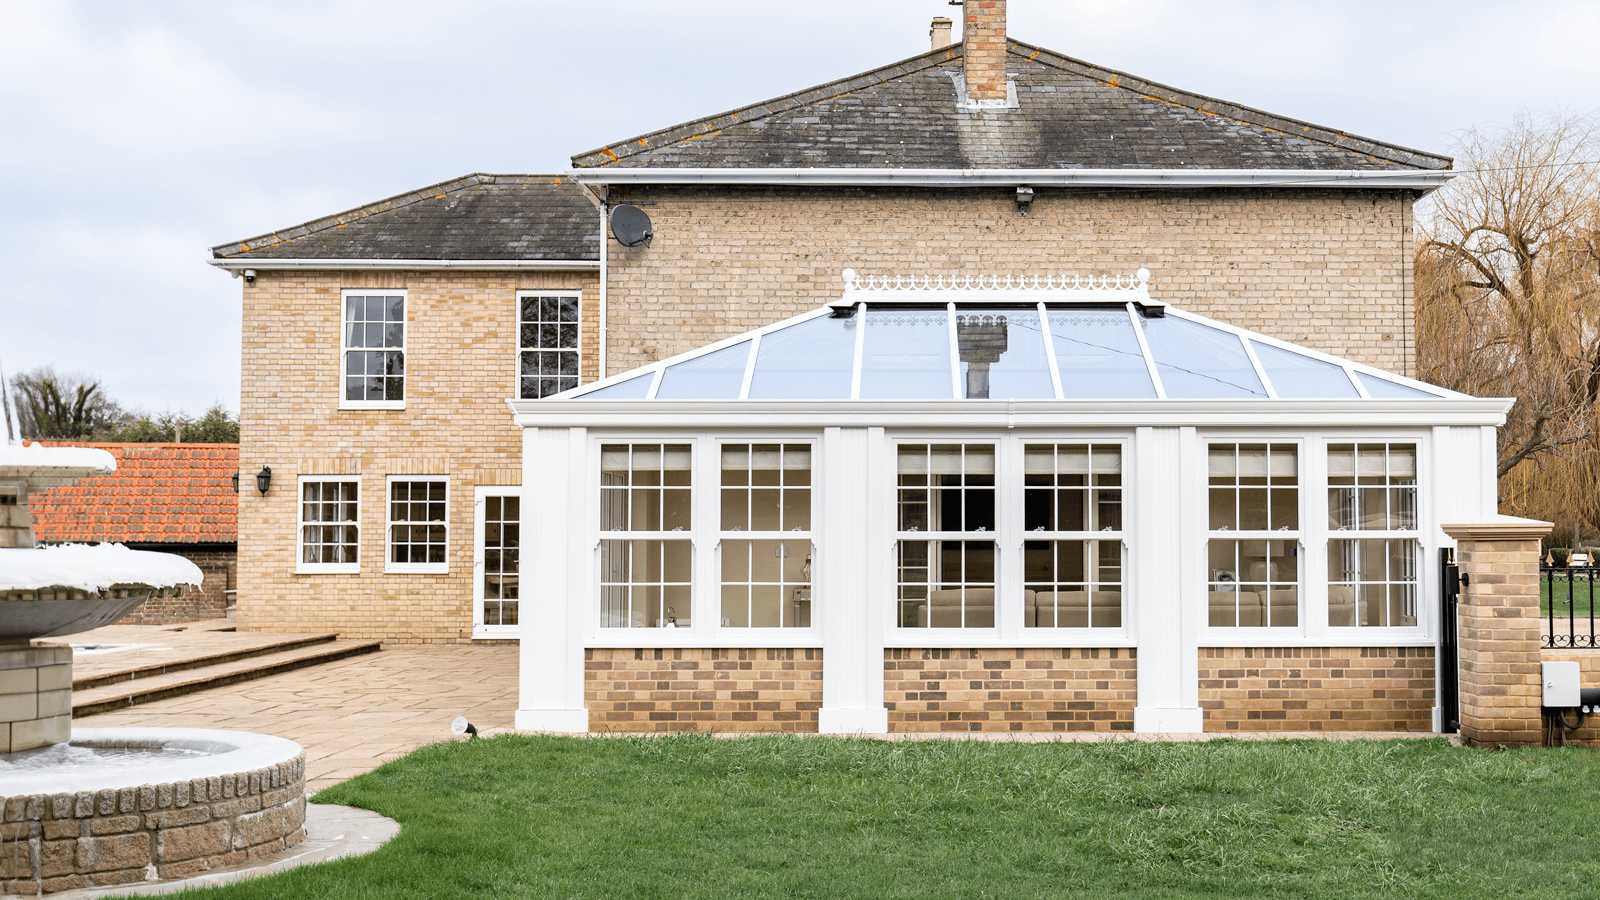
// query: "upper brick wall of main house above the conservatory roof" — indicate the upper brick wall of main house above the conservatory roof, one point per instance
point(1329, 270)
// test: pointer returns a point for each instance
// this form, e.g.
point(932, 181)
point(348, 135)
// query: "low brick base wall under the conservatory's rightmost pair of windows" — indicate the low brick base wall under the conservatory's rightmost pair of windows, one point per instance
point(1318, 689)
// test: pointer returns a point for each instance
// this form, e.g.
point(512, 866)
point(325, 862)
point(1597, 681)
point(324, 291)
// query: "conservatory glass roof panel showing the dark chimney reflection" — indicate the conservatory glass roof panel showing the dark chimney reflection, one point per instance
point(1002, 355)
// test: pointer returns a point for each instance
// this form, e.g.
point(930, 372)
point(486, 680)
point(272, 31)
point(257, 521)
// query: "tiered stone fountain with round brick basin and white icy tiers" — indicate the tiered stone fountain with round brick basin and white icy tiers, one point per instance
point(84, 808)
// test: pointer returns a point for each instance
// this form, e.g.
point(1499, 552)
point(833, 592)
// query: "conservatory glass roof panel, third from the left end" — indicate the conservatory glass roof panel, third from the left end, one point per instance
point(809, 361)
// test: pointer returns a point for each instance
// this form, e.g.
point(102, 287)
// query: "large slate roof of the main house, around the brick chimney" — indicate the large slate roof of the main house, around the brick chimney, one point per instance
point(1071, 115)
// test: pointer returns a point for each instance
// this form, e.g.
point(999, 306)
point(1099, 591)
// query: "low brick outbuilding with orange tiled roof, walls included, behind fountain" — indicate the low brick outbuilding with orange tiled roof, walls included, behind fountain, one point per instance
point(164, 497)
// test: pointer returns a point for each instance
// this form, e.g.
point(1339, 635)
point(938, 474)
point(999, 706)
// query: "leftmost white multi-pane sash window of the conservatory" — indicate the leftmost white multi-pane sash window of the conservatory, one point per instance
point(646, 577)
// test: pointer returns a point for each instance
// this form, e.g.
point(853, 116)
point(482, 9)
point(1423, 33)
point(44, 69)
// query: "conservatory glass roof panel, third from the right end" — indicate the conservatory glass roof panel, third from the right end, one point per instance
point(1199, 361)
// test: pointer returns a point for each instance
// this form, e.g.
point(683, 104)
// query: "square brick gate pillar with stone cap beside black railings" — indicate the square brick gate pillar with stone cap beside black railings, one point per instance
point(1500, 630)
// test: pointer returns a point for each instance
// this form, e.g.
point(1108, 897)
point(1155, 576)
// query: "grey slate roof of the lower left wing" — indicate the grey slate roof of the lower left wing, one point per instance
point(479, 217)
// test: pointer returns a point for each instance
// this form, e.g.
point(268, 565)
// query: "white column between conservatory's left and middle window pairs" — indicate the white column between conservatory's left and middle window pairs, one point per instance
point(855, 528)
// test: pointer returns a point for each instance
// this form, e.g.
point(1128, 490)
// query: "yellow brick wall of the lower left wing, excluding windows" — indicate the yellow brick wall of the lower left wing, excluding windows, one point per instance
point(462, 366)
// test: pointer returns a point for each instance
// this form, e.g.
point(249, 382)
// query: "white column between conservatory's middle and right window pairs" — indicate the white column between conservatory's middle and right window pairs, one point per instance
point(1164, 593)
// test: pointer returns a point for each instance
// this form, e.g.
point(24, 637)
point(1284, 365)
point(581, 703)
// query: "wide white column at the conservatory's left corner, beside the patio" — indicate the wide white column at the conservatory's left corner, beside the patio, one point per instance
point(556, 531)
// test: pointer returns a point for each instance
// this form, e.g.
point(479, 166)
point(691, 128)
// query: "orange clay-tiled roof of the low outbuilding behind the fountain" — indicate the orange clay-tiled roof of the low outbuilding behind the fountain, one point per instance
point(161, 494)
